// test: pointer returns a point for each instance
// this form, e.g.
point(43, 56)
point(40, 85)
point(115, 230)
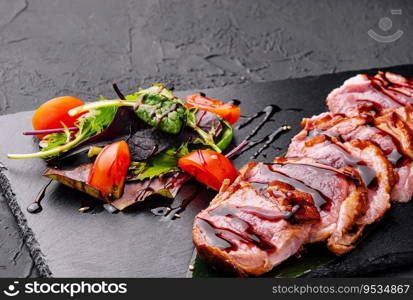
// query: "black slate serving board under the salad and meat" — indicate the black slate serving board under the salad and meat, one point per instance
point(137, 243)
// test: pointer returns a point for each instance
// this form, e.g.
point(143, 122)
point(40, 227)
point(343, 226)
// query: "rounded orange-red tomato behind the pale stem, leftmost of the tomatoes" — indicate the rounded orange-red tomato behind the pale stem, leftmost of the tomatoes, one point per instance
point(51, 113)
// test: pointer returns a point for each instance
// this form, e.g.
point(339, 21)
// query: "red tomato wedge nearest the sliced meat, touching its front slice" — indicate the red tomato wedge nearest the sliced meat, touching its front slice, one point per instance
point(208, 167)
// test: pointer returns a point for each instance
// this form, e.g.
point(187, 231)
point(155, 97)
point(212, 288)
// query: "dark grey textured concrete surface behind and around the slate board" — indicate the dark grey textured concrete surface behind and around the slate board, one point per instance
point(51, 48)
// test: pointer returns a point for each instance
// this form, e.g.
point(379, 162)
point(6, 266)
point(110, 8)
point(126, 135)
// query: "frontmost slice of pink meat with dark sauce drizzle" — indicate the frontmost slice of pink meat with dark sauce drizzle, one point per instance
point(241, 242)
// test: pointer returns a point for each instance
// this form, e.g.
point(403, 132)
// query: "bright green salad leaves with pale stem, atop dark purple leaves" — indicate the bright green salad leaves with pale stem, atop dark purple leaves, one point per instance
point(184, 130)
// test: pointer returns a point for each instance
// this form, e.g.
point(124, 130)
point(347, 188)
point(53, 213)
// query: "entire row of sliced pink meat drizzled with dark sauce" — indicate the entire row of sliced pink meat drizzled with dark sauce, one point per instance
point(336, 179)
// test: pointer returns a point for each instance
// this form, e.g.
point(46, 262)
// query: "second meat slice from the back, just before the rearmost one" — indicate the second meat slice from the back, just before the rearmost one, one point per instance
point(388, 132)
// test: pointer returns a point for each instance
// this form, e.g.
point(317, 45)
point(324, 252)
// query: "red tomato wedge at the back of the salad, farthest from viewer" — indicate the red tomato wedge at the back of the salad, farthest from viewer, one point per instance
point(229, 112)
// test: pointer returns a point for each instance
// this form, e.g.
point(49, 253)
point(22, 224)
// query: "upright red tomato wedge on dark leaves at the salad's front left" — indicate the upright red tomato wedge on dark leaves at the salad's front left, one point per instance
point(110, 168)
